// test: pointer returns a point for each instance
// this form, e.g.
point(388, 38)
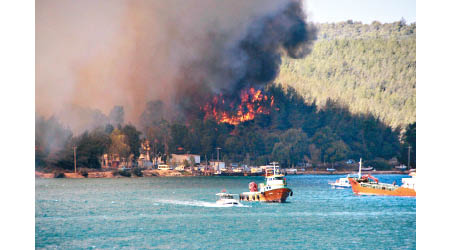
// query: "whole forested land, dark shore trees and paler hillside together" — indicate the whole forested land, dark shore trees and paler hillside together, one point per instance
point(353, 96)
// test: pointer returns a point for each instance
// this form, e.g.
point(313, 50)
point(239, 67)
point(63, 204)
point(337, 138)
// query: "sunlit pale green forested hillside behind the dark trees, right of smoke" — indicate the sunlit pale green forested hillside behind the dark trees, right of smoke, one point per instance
point(371, 68)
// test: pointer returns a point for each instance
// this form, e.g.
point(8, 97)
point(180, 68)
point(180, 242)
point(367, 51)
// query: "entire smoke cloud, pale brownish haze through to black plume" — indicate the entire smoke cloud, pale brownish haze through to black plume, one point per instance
point(99, 54)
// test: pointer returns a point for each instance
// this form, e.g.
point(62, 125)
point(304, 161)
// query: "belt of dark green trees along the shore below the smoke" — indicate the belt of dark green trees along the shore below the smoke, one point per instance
point(294, 132)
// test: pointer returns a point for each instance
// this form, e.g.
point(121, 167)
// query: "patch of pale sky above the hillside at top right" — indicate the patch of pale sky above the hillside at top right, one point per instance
point(361, 10)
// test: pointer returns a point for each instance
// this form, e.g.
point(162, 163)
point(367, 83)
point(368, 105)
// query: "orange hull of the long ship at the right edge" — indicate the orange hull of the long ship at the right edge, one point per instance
point(398, 191)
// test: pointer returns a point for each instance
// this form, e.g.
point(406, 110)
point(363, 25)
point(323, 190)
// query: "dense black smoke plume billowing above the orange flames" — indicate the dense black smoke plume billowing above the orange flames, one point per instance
point(251, 60)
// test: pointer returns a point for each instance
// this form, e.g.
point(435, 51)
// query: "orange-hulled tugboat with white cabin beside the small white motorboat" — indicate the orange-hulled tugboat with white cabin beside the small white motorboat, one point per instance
point(274, 189)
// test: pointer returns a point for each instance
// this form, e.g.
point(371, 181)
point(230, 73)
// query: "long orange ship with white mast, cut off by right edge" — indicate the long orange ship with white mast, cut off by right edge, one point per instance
point(369, 185)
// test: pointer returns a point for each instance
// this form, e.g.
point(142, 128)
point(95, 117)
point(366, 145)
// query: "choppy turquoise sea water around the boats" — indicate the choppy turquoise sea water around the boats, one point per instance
point(180, 213)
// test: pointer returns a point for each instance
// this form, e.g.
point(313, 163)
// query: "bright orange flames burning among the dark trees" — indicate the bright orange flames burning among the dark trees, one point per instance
point(253, 102)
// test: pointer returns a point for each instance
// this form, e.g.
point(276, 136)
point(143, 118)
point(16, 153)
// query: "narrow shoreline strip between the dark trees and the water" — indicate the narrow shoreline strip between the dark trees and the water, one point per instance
point(174, 173)
